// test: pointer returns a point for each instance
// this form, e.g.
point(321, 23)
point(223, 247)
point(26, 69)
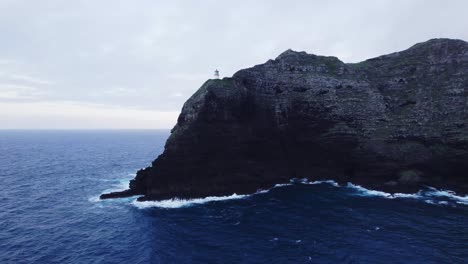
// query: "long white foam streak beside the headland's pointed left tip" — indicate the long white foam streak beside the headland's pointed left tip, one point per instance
point(179, 203)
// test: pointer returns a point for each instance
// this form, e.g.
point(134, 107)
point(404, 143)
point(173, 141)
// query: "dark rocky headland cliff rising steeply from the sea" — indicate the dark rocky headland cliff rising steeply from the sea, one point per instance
point(394, 122)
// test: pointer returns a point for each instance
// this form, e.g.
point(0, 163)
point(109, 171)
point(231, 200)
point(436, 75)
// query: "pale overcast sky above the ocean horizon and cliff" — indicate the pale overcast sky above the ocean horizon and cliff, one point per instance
point(132, 64)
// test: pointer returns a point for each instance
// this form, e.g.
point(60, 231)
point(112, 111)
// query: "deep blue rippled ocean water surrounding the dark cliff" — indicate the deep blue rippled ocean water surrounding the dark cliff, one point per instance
point(49, 213)
